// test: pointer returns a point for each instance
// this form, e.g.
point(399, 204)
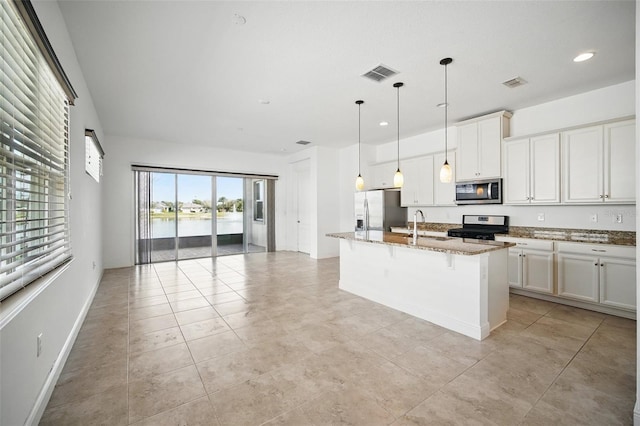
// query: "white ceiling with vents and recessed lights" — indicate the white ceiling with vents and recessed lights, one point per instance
point(185, 72)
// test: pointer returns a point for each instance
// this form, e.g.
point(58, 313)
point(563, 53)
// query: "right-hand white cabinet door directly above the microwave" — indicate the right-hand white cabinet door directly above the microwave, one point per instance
point(489, 147)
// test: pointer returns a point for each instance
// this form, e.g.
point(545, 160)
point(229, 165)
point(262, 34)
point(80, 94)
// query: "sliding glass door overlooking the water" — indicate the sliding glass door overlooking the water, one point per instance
point(176, 217)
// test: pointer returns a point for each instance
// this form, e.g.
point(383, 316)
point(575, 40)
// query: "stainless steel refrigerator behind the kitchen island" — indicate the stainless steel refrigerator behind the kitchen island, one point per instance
point(379, 208)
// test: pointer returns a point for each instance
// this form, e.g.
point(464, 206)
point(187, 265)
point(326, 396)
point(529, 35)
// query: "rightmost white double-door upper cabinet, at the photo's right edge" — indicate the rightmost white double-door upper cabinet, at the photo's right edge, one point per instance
point(599, 164)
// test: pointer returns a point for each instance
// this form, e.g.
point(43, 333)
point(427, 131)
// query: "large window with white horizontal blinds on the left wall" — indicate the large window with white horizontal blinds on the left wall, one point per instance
point(34, 156)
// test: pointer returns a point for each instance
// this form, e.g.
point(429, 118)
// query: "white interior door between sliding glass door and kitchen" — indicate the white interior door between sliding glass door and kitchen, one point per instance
point(302, 206)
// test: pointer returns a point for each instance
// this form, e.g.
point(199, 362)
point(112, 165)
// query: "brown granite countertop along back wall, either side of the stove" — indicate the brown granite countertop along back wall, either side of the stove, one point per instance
point(623, 238)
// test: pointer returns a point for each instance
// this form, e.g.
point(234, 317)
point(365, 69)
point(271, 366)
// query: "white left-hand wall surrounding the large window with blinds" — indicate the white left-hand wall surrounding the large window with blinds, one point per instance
point(58, 305)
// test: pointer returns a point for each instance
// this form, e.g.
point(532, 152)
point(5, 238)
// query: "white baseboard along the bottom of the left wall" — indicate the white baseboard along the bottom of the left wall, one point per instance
point(50, 383)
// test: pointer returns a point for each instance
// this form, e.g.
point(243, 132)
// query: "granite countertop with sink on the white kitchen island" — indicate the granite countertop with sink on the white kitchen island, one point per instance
point(467, 247)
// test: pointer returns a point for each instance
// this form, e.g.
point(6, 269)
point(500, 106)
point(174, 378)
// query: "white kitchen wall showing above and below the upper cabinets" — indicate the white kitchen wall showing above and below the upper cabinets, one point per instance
point(597, 105)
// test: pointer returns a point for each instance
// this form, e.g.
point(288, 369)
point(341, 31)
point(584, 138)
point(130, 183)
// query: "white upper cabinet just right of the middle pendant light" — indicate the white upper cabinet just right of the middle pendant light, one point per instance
point(418, 182)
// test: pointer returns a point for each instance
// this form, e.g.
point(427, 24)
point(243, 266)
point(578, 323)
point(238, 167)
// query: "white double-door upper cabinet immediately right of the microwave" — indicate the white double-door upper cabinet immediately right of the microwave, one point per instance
point(532, 170)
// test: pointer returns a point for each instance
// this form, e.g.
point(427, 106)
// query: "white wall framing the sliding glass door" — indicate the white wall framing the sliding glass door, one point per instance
point(118, 224)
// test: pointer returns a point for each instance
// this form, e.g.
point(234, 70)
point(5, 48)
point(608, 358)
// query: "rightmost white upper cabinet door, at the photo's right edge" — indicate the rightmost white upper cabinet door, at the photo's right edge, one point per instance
point(619, 162)
